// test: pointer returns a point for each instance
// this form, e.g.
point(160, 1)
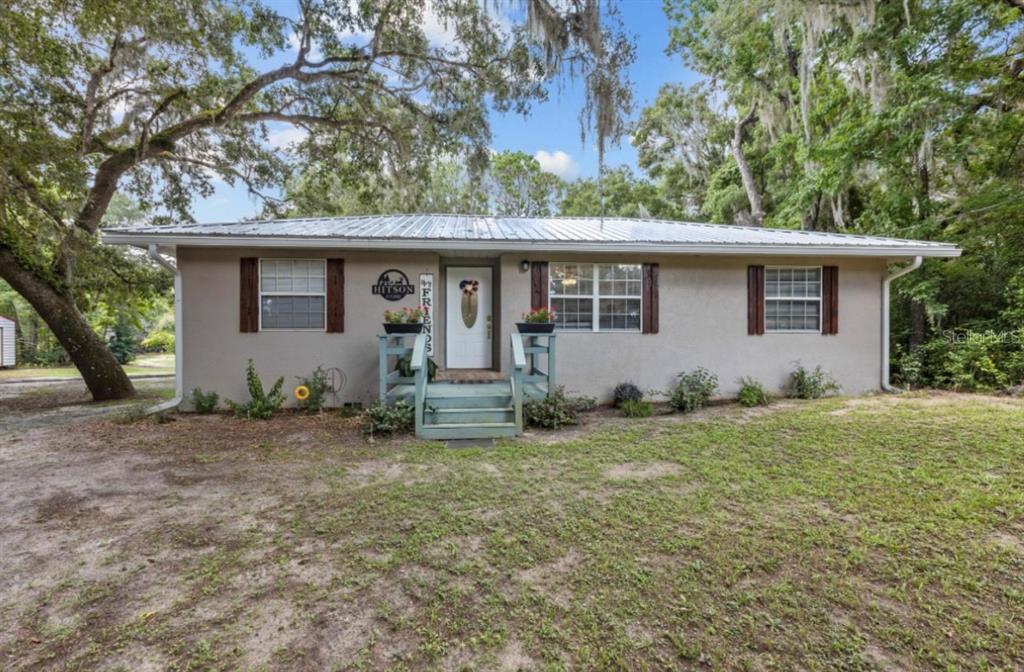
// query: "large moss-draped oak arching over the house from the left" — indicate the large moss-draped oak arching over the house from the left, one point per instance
point(161, 99)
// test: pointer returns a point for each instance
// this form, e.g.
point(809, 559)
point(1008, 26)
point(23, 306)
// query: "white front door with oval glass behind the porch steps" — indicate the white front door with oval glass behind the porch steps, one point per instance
point(470, 325)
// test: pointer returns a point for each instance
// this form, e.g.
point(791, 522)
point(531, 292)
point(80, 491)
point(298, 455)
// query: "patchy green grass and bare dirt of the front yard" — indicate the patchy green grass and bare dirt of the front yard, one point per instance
point(874, 533)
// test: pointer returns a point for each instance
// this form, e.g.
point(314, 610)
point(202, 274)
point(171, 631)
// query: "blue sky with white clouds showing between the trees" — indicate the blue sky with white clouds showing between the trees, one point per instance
point(551, 132)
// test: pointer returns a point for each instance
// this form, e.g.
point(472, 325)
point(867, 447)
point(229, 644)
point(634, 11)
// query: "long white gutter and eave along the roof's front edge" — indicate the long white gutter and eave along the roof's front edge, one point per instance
point(174, 241)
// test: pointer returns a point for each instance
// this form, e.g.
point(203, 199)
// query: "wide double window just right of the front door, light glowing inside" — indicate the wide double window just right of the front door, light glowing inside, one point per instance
point(596, 297)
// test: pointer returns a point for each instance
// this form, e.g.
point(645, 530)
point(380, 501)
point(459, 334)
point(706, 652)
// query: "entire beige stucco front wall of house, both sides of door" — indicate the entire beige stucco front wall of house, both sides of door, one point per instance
point(703, 311)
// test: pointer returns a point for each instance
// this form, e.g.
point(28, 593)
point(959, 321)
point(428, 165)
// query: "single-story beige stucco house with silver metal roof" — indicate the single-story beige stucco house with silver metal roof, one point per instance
point(636, 300)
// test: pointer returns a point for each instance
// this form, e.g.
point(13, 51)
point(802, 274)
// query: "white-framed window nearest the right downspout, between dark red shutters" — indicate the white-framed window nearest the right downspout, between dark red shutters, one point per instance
point(793, 299)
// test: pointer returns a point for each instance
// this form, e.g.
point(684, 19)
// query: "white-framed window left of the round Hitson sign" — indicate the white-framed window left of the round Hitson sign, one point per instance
point(292, 295)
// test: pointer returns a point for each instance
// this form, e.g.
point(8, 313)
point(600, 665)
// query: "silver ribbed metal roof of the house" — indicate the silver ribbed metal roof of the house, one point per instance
point(439, 232)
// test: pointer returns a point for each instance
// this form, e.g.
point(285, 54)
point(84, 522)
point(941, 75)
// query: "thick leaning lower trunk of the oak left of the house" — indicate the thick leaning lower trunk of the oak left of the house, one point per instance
point(104, 376)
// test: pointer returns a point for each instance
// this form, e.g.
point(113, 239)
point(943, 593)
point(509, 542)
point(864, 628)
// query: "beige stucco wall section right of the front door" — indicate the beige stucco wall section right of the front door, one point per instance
point(703, 323)
